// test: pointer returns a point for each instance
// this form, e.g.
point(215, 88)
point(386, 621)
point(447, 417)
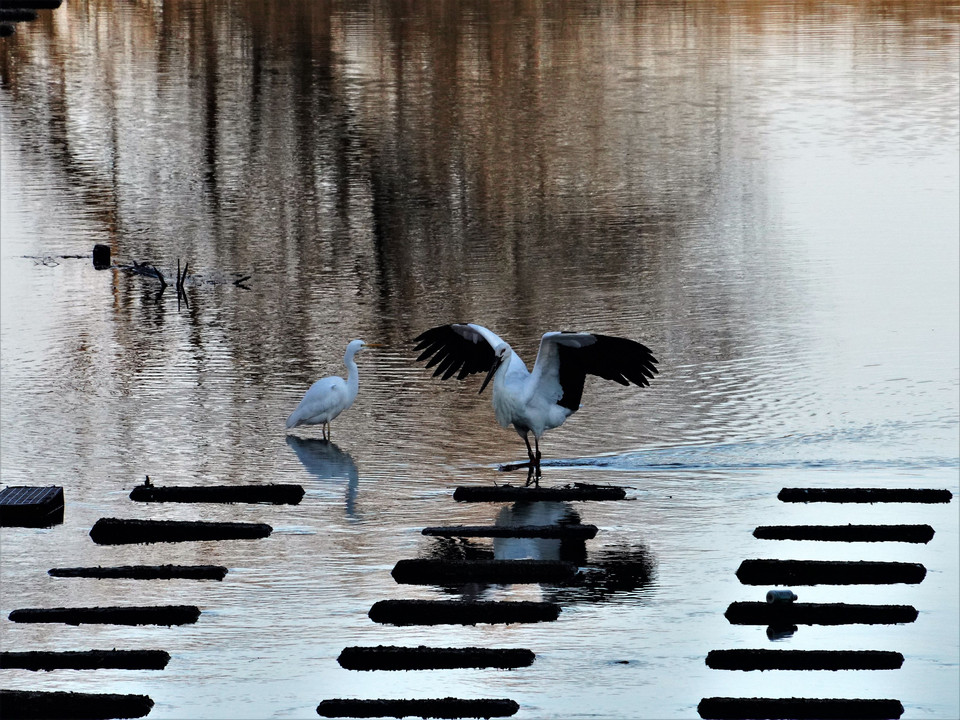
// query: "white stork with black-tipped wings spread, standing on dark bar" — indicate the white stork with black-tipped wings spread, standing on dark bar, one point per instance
point(534, 402)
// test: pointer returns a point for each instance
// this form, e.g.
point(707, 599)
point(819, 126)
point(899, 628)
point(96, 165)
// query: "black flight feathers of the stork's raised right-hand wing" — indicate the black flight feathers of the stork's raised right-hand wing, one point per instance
point(619, 359)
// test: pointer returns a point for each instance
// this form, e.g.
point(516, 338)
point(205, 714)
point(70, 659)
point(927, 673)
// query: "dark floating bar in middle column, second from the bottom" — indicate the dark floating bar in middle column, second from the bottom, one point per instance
point(391, 657)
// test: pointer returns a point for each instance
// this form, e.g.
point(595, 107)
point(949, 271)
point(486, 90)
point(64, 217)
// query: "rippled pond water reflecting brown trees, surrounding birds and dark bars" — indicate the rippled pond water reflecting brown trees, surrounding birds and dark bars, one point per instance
point(766, 194)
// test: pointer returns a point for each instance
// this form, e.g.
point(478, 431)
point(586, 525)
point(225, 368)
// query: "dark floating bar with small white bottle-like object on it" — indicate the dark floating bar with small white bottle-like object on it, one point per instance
point(785, 614)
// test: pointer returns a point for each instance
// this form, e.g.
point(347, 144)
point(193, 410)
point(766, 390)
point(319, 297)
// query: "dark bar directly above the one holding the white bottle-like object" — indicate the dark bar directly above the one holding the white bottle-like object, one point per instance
point(828, 572)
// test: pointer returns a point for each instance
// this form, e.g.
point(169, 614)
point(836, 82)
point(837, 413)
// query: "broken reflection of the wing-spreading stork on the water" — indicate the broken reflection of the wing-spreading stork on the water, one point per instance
point(608, 575)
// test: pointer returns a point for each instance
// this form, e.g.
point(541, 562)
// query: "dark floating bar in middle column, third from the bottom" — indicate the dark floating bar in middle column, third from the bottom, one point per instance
point(461, 612)
